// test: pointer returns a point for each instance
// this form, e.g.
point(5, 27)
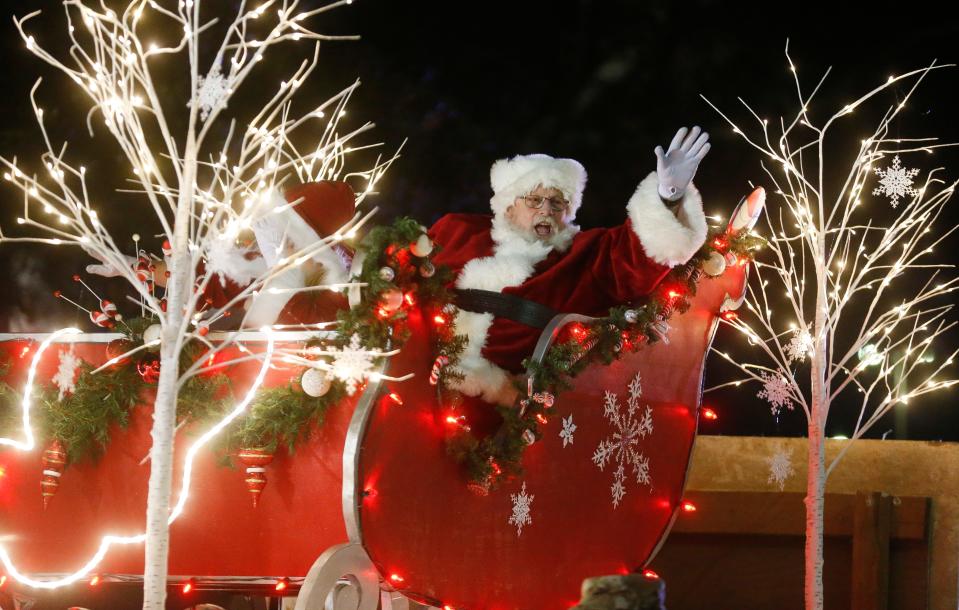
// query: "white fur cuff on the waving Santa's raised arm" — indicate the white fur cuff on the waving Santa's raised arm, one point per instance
point(669, 239)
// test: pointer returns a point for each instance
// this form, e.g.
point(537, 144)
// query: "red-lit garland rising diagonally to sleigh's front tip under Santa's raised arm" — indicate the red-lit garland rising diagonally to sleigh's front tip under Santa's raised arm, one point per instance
point(625, 329)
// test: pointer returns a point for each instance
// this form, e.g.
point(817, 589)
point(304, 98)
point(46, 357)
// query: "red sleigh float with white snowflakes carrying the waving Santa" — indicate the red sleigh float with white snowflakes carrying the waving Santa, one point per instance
point(370, 510)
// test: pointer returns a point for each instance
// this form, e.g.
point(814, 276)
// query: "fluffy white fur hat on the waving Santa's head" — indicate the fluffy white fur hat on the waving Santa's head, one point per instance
point(516, 177)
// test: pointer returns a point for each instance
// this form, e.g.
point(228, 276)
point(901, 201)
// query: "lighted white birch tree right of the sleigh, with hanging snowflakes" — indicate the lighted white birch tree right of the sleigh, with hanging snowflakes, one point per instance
point(848, 300)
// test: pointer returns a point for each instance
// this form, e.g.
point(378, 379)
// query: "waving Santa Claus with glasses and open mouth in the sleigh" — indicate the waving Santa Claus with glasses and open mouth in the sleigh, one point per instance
point(529, 261)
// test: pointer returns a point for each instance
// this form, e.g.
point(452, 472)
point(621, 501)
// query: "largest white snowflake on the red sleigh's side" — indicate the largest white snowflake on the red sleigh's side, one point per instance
point(622, 445)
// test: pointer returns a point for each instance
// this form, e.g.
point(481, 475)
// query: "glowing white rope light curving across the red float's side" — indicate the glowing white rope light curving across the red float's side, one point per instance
point(109, 540)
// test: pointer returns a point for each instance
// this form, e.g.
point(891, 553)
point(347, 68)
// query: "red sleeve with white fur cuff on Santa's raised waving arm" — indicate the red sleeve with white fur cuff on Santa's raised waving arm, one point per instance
point(630, 260)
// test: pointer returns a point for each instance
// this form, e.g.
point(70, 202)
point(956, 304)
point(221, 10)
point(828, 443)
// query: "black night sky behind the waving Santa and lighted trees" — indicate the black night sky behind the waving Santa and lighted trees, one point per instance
point(600, 81)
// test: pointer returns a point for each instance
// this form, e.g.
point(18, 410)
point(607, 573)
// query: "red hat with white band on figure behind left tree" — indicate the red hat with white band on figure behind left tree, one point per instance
point(316, 210)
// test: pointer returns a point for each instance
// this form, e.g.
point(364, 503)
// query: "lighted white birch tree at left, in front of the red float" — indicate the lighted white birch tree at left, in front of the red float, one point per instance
point(203, 185)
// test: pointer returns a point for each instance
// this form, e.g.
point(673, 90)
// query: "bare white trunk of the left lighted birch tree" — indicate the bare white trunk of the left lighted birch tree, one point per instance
point(179, 288)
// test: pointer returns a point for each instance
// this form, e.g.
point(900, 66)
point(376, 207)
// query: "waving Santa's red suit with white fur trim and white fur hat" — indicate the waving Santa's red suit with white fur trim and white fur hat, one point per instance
point(585, 272)
